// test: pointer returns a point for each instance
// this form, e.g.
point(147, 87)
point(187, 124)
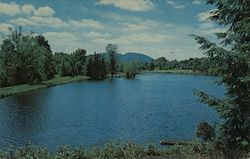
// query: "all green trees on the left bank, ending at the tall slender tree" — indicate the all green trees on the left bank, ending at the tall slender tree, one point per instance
point(27, 58)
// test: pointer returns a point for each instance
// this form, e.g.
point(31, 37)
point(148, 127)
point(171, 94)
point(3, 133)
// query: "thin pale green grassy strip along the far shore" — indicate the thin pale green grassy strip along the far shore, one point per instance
point(177, 71)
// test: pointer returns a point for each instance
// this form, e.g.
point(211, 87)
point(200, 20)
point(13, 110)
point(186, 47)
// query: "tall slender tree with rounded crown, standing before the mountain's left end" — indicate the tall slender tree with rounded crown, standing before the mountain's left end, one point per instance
point(111, 49)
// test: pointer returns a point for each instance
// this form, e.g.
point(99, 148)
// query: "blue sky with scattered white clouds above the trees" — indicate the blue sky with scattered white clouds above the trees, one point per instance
point(154, 27)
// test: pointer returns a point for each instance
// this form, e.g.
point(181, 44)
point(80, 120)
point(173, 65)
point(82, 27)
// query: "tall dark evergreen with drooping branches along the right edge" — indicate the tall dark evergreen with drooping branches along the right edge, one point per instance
point(235, 107)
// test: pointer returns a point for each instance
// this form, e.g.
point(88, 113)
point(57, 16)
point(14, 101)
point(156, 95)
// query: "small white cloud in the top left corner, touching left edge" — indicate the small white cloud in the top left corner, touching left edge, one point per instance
point(9, 8)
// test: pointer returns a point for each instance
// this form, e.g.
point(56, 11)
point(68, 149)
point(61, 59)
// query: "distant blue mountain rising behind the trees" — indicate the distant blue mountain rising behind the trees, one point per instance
point(131, 56)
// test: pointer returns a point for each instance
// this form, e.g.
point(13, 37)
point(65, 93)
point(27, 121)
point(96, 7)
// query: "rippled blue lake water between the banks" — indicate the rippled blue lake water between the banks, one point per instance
point(145, 110)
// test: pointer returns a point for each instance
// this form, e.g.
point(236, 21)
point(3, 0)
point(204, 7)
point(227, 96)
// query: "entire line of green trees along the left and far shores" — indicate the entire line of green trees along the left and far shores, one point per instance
point(27, 58)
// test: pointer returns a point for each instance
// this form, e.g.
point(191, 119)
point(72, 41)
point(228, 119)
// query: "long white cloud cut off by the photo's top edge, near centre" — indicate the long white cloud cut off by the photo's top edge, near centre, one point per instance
point(132, 5)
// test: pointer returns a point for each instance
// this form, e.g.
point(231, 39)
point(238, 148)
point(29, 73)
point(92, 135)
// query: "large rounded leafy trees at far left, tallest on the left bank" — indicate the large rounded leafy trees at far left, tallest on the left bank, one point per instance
point(25, 58)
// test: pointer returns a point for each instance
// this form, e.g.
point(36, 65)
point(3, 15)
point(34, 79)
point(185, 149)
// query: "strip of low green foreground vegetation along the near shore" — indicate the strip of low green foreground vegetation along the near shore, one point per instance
point(114, 150)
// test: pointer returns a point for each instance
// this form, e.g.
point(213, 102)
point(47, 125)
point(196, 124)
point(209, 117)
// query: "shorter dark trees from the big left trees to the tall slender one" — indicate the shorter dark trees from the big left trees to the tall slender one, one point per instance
point(95, 66)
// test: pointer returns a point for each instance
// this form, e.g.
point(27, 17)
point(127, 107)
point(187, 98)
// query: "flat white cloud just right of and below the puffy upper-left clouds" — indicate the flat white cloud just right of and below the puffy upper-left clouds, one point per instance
point(86, 23)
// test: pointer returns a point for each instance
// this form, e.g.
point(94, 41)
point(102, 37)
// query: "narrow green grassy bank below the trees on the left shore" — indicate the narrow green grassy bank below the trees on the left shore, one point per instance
point(25, 88)
